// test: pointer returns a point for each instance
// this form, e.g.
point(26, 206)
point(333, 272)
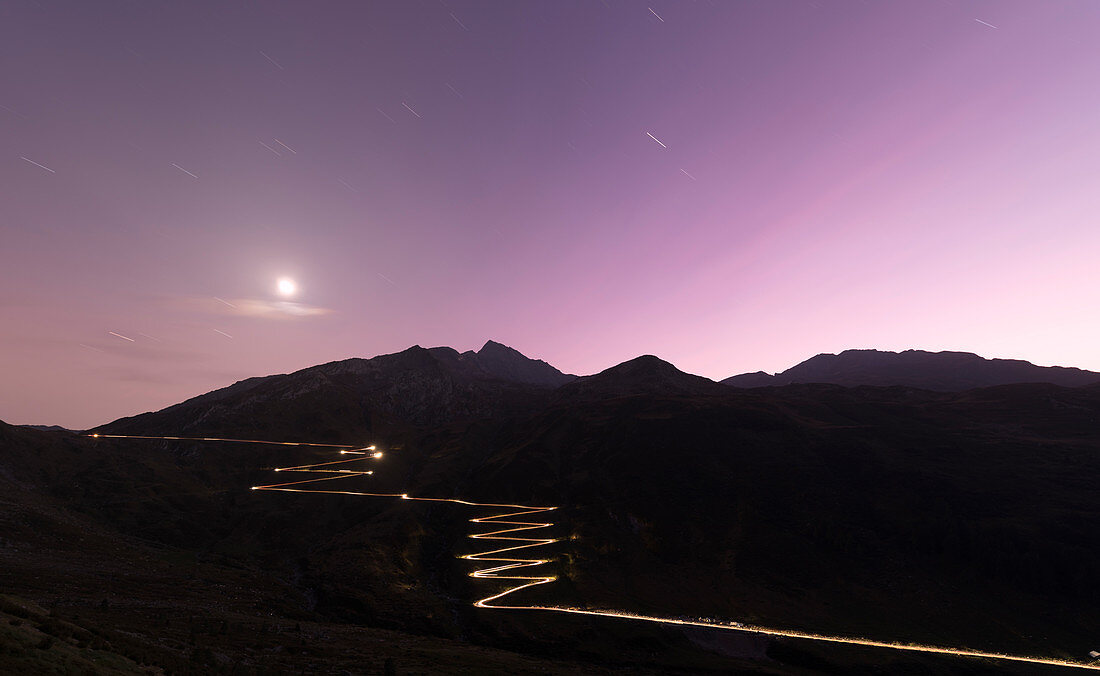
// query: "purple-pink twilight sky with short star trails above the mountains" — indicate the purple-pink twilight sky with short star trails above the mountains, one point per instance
point(733, 186)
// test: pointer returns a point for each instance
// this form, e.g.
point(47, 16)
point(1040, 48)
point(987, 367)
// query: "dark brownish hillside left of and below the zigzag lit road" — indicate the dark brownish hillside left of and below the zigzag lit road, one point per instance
point(120, 559)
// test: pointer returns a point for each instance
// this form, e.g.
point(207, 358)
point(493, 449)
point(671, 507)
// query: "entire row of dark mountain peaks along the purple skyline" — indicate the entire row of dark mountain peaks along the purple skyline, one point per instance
point(439, 385)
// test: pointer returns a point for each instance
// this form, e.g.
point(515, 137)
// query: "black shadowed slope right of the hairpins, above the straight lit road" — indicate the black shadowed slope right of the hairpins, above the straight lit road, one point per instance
point(861, 512)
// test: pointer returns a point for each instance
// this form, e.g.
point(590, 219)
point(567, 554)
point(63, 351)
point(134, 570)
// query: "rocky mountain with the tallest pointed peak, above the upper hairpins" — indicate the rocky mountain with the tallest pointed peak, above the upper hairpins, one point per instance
point(415, 387)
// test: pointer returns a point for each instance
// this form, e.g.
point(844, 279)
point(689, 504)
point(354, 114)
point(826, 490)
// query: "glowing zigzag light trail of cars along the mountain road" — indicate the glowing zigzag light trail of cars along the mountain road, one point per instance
point(522, 582)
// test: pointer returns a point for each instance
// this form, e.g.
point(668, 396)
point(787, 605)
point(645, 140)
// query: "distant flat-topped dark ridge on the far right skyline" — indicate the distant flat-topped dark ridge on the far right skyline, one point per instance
point(936, 371)
